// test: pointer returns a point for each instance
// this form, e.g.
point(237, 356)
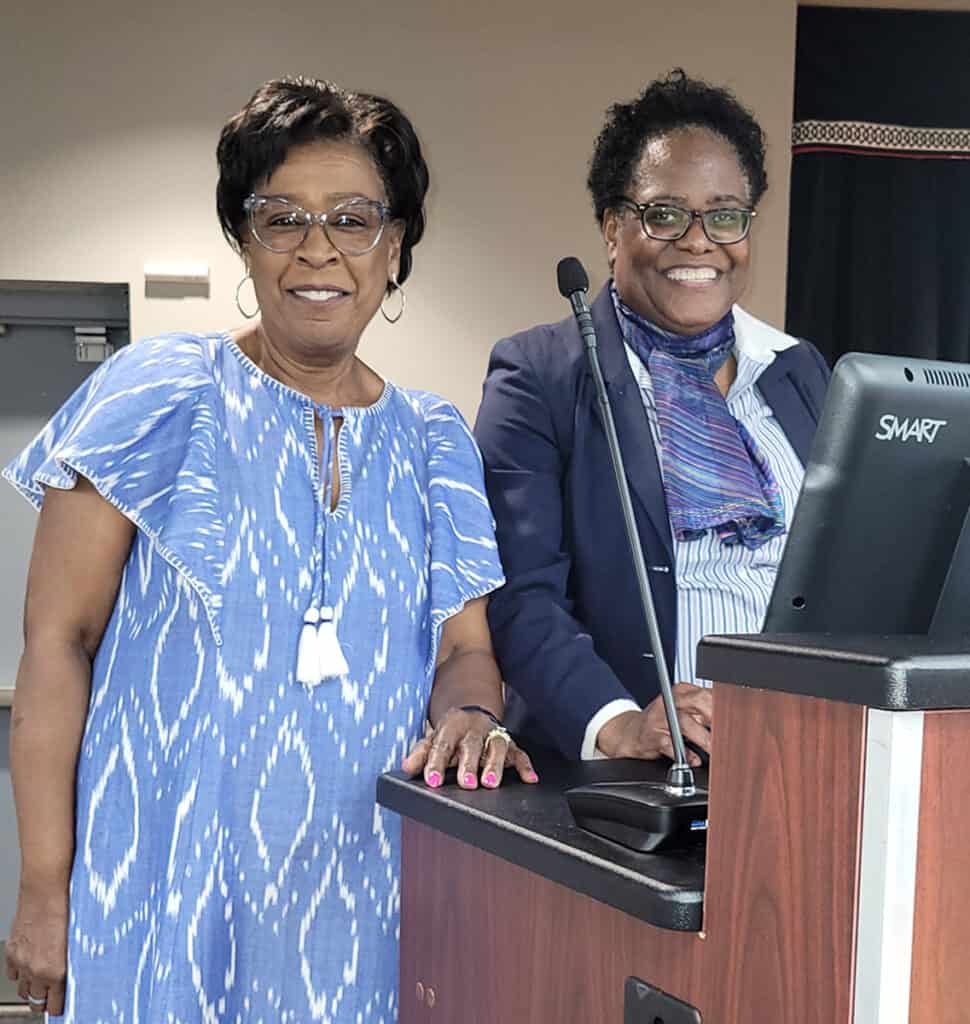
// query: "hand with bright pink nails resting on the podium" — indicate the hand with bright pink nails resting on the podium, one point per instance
point(473, 742)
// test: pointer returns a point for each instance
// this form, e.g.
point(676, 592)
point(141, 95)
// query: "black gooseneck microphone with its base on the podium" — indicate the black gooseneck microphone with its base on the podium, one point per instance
point(646, 816)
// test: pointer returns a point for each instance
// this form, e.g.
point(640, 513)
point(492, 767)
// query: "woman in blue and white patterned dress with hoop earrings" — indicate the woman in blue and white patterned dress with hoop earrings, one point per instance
point(260, 569)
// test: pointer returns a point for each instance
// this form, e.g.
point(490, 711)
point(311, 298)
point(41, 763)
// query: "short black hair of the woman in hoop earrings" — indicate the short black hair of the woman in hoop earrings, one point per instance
point(289, 112)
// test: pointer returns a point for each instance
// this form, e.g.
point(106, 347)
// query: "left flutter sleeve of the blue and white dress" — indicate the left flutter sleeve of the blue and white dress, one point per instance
point(143, 430)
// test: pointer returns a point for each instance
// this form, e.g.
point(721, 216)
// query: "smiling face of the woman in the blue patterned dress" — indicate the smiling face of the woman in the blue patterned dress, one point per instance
point(316, 301)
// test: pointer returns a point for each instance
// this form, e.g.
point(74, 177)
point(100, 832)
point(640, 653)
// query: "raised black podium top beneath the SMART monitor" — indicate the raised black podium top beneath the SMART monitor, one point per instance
point(895, 673)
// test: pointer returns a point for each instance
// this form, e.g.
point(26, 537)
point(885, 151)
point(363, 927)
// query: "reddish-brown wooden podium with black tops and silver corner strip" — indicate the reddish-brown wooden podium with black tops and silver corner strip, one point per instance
point(836, 885)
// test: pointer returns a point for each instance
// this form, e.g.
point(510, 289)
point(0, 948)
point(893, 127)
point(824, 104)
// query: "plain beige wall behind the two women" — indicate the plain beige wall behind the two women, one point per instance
point(110, 112)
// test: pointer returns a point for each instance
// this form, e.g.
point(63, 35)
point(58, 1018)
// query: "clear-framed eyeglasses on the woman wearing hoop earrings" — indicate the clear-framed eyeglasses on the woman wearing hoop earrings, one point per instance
point(354, 227)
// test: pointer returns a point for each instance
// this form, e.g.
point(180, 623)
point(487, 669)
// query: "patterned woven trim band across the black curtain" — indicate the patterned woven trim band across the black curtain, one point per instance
point(868, 139)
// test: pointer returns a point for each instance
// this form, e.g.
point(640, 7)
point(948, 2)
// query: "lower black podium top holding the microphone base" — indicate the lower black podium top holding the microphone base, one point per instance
point(532, 827)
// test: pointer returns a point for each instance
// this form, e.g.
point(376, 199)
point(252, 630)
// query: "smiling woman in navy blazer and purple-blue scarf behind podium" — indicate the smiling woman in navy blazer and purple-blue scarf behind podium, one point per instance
point(676, 181)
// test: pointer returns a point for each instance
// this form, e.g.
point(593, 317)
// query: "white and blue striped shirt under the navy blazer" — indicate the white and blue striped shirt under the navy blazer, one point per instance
point(723, 588)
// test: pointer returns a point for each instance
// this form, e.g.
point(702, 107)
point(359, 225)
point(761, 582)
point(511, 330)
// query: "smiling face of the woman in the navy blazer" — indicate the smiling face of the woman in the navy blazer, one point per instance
point(689, 285)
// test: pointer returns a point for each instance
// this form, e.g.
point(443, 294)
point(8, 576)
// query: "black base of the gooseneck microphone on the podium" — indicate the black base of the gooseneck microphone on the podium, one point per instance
point(647, 818)
